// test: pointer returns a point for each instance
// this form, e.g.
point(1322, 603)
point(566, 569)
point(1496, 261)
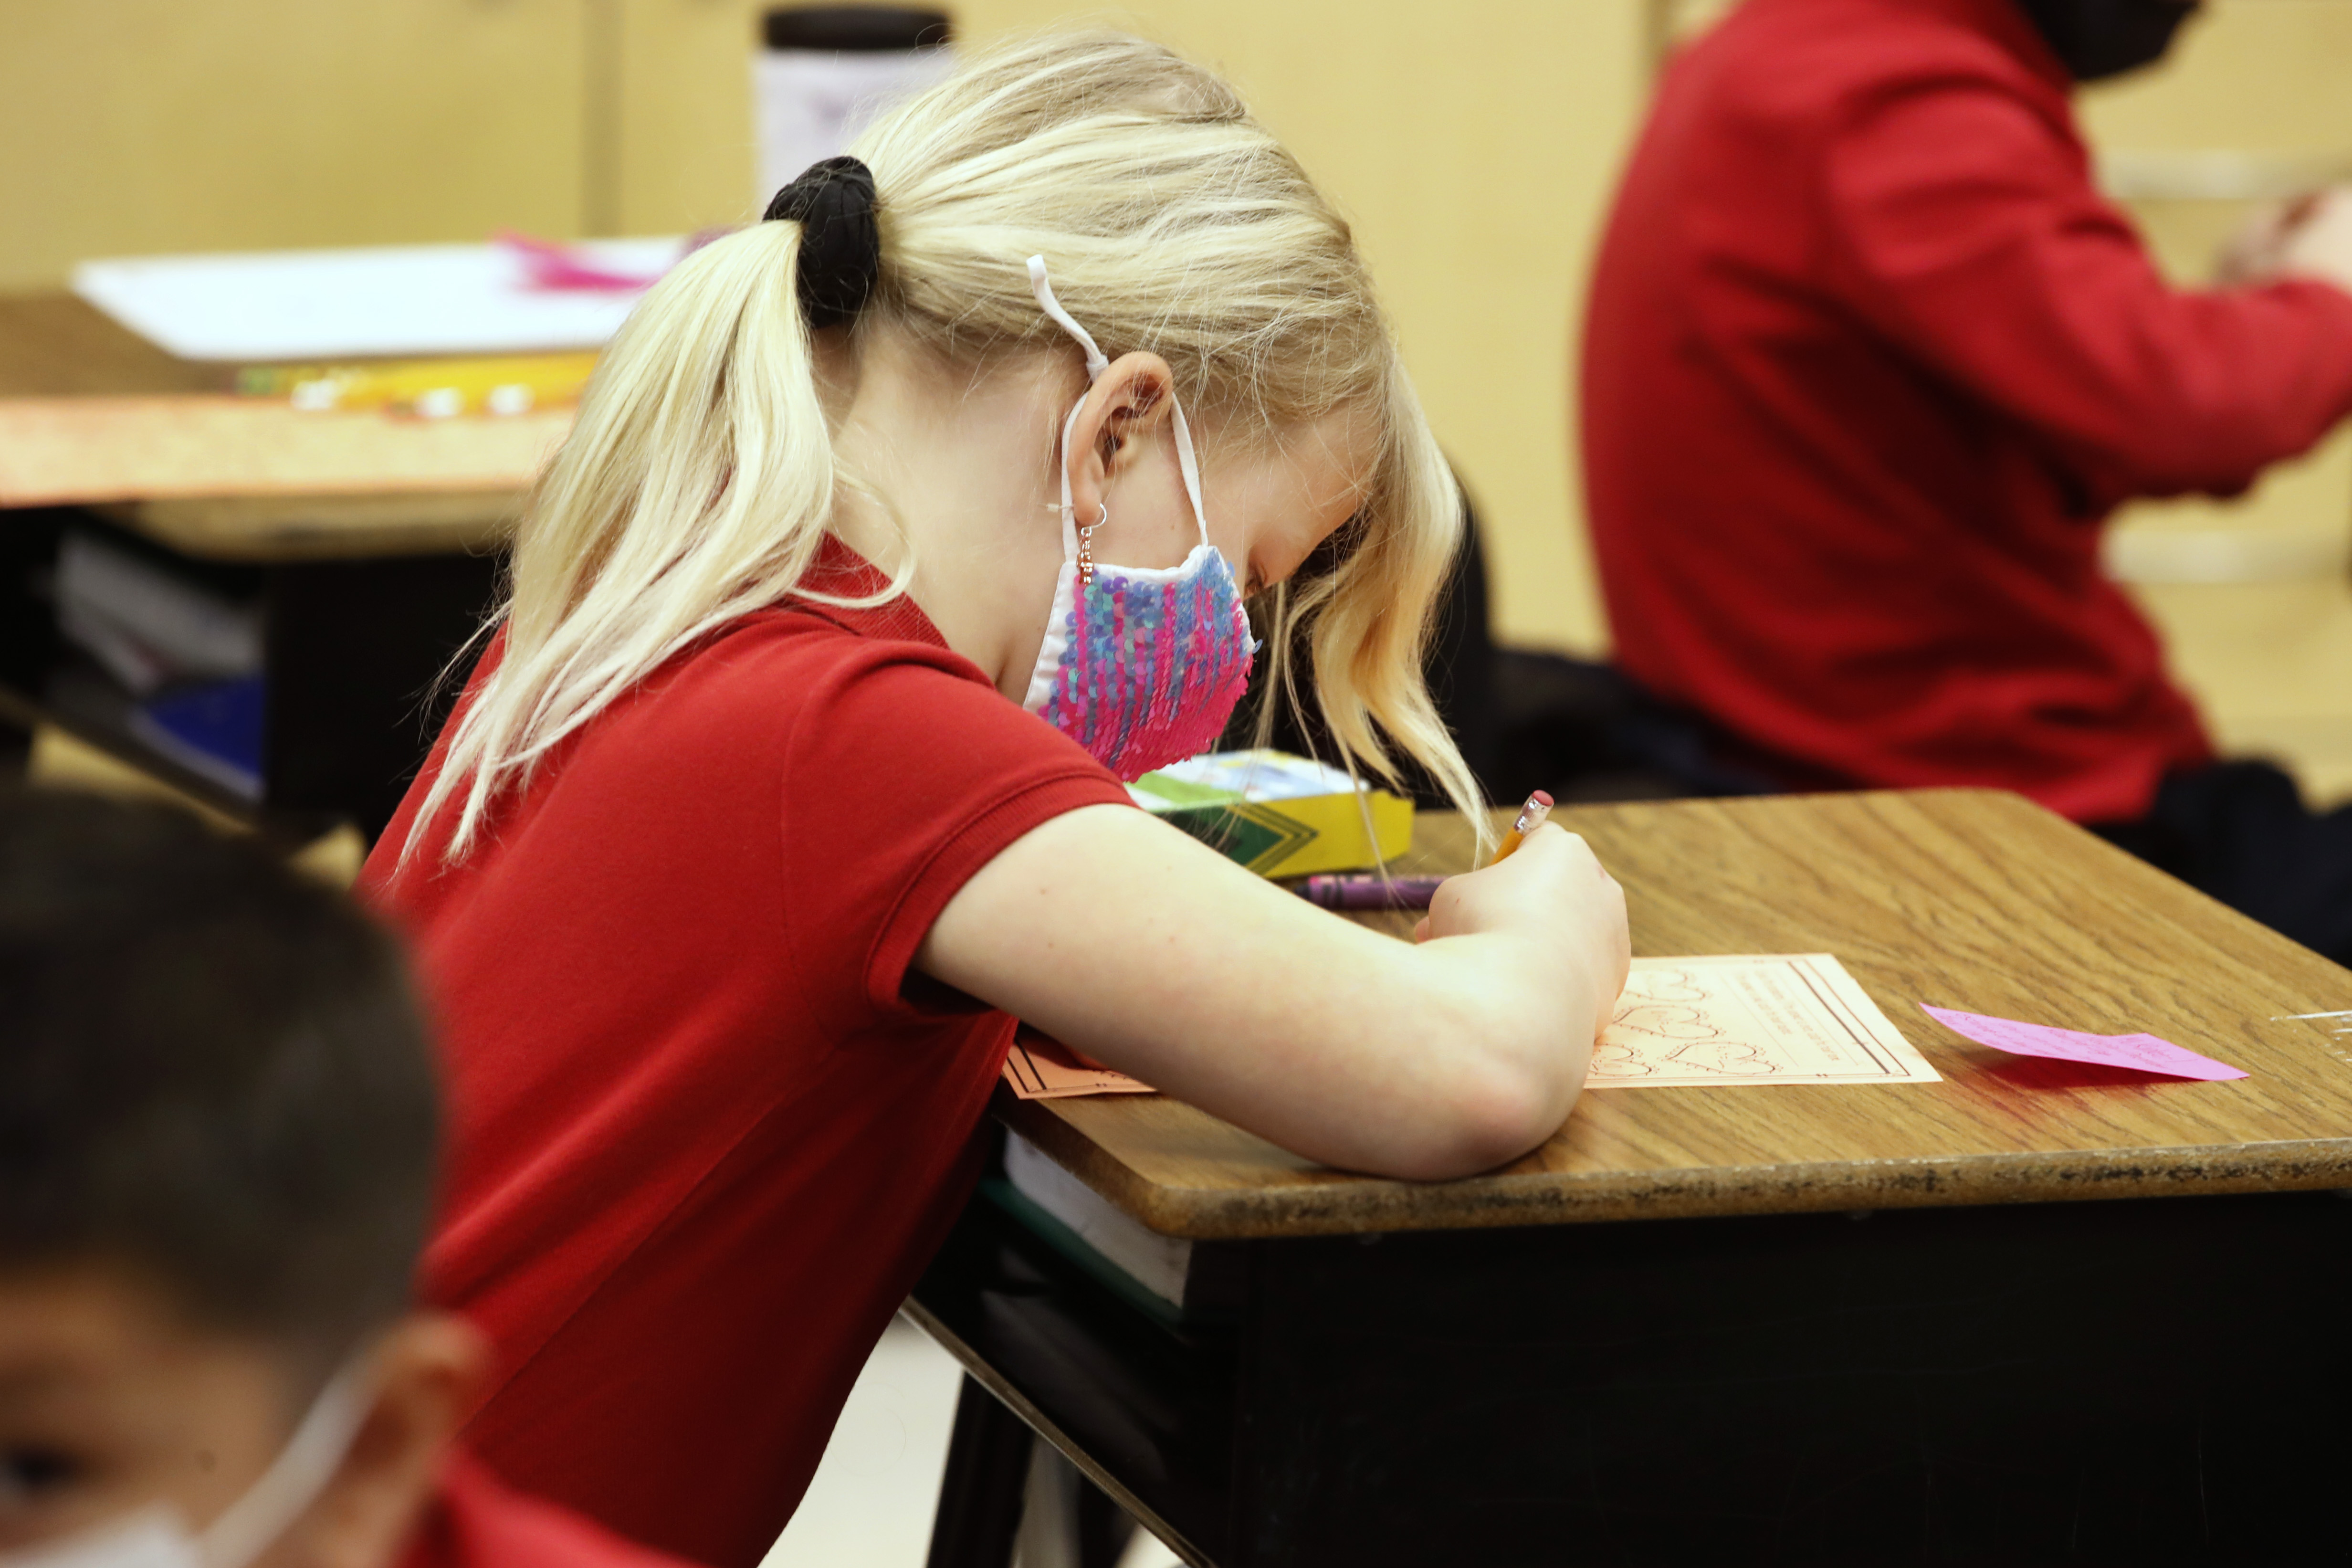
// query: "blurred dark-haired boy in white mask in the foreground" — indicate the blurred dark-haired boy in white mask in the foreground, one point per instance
point(218, 1130)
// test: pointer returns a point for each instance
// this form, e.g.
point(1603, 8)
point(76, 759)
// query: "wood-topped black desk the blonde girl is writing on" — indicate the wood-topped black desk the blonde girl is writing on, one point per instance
point(1763, 1325)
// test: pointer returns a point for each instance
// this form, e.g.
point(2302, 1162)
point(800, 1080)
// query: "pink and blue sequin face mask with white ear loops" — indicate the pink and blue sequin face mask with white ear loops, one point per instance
point(1142, 666)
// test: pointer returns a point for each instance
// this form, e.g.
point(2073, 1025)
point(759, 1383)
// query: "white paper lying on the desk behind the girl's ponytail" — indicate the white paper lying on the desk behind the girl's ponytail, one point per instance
point(396, 300)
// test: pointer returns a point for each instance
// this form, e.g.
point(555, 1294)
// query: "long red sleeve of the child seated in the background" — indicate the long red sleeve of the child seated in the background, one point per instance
point(1970, 234)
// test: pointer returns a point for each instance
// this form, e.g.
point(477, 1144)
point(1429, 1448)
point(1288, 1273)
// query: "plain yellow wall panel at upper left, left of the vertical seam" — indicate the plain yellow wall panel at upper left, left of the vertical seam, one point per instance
point(154, 126)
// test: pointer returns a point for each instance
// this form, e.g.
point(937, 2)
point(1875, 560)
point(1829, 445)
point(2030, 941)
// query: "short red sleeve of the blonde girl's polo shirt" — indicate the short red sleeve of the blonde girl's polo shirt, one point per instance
point(897, 789)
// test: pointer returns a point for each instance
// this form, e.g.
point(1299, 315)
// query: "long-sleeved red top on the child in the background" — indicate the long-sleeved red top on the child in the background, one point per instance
point(1869, 363)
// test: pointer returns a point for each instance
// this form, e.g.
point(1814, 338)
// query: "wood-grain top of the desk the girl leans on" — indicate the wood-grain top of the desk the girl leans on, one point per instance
point(1965, 899)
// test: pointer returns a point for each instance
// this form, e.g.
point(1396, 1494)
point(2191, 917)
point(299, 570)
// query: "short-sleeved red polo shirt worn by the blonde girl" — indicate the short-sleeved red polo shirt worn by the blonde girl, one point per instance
point(702, 1139)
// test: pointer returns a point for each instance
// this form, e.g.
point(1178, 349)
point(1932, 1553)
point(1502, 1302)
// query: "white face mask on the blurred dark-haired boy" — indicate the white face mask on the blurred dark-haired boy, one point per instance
point(159, 1536)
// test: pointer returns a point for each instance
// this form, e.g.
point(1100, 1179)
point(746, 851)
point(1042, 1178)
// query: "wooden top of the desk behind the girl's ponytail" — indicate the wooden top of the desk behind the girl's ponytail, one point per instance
point(93, 415)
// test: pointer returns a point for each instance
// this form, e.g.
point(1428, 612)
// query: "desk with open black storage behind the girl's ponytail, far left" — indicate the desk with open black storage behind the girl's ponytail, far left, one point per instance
point(373, 544)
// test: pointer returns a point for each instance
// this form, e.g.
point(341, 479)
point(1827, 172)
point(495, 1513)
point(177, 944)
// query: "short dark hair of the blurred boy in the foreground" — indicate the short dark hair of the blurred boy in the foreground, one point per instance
point(211, 1071)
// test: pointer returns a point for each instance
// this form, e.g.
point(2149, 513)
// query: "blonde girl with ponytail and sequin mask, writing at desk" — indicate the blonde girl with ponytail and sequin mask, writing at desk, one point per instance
point(893, 535)
